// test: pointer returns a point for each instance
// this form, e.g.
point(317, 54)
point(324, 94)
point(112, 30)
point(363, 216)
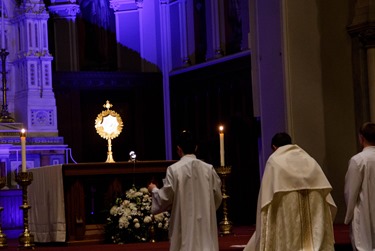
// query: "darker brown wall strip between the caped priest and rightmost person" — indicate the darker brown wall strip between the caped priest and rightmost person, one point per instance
point(338, 95)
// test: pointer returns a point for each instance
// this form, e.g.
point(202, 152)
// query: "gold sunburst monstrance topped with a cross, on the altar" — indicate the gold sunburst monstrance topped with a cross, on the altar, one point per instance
point(108, 125)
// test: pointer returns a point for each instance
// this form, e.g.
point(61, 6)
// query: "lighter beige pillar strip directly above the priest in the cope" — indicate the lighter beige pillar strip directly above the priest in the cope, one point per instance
point(303, 76)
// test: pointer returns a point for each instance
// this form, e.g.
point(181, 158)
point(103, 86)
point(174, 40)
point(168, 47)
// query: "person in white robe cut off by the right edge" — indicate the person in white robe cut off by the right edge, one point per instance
point(359, 191)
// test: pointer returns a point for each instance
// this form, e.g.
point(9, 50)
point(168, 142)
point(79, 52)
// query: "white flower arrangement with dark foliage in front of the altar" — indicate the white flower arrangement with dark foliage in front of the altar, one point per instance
point(130, 219)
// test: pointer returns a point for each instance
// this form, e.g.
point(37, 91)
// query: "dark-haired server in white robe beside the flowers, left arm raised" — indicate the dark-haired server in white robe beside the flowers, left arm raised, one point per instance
point(192, 191)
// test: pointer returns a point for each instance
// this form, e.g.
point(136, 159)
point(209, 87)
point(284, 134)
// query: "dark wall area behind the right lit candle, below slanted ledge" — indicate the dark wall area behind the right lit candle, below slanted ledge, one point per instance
point(204, 98)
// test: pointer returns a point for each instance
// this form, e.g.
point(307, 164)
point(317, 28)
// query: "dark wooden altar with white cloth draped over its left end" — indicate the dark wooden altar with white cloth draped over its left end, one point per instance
point(69, 202)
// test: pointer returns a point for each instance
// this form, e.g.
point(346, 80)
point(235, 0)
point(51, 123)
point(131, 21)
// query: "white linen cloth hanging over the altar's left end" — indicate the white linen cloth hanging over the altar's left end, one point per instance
point(46, 198)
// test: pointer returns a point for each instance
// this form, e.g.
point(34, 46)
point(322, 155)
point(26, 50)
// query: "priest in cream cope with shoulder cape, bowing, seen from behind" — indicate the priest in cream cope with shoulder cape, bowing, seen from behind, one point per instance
point(295, 209)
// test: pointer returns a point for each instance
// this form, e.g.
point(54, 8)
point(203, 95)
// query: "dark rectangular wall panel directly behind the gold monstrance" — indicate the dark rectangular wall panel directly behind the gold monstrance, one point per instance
point(137, 98)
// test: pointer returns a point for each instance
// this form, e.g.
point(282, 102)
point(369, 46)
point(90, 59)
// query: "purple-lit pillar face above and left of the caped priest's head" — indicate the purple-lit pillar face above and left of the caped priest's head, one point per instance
point(270, 79)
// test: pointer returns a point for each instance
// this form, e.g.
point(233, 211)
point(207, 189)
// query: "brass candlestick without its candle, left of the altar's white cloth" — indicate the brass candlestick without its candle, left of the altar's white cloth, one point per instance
point(26, 239)
